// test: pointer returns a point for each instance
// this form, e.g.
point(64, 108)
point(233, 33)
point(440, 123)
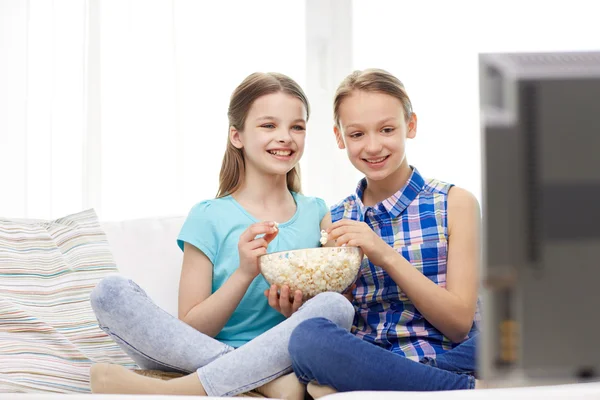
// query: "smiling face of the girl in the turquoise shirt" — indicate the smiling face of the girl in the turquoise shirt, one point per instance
point(273, 136)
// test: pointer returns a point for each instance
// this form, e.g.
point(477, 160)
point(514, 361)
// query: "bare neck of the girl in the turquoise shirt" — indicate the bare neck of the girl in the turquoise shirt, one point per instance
point(258, 188)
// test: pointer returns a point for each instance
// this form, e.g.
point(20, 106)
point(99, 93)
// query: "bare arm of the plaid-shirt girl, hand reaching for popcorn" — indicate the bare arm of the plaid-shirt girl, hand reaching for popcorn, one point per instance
point(451, 309)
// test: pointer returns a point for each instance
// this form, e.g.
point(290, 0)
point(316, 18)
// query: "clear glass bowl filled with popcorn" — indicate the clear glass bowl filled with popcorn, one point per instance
point(312, 271)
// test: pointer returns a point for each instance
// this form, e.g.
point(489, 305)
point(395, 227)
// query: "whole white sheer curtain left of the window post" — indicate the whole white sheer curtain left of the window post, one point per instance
point(121, 105)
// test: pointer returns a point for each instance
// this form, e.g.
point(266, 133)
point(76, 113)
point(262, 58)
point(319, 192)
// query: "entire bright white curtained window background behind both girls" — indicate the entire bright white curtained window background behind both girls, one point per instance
point(121, 105)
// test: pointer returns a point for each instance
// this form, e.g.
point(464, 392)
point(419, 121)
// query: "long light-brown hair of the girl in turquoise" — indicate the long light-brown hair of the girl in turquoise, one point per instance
point(254, 86)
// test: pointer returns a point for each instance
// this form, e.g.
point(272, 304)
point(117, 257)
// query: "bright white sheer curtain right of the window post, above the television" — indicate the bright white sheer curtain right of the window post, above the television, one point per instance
point(433, 48)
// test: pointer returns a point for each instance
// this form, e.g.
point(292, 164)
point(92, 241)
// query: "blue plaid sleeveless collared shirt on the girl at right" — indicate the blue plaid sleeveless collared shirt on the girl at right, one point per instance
point(414, 222)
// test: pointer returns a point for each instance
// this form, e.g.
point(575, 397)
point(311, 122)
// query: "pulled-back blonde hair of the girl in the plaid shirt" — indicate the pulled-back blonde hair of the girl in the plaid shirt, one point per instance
point(371, 80)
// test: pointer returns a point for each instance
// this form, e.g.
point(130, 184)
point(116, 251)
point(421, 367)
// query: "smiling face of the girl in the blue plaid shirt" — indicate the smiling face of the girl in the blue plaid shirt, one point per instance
point(373, 130)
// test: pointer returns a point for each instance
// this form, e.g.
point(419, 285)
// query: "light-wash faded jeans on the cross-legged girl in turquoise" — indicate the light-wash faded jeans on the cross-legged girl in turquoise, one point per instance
point(155, 339)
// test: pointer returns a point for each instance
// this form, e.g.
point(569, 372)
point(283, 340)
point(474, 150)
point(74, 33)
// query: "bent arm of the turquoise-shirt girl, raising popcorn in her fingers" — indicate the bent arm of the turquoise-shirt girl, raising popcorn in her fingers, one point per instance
point(209, 313)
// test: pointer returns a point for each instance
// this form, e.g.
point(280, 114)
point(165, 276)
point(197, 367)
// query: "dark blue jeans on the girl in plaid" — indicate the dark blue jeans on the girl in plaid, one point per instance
point(323, 352)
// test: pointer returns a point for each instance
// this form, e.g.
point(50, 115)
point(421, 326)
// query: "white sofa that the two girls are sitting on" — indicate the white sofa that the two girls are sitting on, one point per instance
point(145, 250)
